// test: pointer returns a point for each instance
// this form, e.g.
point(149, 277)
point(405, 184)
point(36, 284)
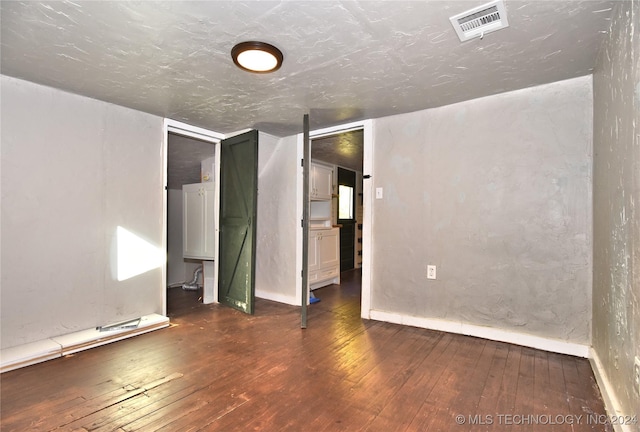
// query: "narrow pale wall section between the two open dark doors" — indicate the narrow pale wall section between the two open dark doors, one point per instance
point(276, 245)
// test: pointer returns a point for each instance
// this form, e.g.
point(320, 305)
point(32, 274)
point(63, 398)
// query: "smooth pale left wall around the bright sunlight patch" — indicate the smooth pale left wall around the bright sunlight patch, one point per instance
point(73, 170)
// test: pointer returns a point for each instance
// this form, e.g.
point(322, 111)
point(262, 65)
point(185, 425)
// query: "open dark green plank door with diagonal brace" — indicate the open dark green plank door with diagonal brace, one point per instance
point(238, 209)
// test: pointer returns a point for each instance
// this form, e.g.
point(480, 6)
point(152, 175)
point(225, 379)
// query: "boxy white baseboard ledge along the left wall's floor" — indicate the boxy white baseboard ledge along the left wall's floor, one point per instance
point(47, 349)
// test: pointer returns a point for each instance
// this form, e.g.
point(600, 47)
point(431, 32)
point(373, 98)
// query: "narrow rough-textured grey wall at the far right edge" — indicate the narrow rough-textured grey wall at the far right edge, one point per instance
point(616, 195)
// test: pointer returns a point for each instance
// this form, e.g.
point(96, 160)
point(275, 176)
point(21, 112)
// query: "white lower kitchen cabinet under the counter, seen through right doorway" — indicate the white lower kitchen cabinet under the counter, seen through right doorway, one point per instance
point(324, 257)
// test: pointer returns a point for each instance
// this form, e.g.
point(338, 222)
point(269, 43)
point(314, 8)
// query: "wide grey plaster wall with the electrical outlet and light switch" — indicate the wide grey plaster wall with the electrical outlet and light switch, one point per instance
point(497, 193)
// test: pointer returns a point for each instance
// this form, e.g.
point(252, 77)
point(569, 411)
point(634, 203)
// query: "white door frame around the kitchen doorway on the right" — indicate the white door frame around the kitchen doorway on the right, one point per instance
point(367, 201)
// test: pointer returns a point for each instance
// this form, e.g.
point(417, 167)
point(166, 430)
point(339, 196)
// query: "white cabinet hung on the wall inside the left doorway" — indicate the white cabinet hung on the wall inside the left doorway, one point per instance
point(198, 221)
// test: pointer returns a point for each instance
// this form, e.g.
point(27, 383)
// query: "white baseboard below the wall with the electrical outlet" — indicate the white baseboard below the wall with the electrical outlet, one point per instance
point(546, 344)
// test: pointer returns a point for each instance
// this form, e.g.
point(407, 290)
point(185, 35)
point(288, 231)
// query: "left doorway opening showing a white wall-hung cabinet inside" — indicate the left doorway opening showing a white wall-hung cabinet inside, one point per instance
point(191, 165)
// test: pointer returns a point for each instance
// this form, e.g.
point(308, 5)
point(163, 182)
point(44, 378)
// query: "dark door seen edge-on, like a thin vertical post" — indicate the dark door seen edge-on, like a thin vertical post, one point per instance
point(306, 164)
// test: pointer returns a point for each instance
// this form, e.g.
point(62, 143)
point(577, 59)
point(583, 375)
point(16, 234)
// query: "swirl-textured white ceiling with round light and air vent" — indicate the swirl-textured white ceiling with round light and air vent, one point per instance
point(344, 60)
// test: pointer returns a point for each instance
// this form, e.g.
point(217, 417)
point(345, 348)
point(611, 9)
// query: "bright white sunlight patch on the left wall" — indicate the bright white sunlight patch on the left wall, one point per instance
point(135, 255)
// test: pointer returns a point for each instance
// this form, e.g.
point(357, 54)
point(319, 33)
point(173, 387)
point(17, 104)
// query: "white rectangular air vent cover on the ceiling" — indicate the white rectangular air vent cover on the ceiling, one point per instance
point(480, 20)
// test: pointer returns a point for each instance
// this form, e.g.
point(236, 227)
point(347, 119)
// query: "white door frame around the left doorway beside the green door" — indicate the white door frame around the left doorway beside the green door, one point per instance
point(210, 294)
